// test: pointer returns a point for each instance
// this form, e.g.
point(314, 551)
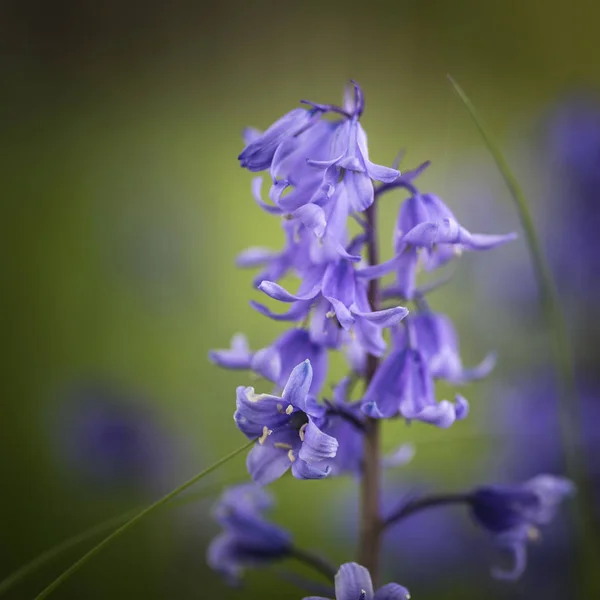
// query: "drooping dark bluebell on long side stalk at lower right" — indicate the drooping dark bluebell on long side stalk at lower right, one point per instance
point(512, 514)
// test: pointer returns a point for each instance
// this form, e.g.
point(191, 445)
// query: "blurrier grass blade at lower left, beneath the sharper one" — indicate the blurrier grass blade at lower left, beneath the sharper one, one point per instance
point(52, 553)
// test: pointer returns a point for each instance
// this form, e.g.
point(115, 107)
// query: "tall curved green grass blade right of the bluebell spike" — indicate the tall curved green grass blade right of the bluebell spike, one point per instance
point(569, 415)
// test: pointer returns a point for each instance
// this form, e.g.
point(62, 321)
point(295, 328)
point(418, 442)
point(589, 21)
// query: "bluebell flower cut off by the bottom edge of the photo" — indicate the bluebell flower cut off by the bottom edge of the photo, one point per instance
point(353, 582)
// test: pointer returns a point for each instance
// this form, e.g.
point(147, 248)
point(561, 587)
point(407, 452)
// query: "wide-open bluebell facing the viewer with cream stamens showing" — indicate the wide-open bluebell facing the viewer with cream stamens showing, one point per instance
point(287, 430)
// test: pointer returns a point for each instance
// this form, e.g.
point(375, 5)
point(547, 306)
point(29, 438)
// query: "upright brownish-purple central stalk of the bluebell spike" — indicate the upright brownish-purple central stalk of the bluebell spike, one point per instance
point(370, 518)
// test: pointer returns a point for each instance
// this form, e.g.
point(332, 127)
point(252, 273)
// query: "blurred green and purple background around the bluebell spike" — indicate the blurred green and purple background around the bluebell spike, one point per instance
point(124, 208)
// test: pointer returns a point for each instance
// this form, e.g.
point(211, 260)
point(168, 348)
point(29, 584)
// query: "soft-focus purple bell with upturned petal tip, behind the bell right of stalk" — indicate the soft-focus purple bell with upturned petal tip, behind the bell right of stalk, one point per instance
point(437, 341)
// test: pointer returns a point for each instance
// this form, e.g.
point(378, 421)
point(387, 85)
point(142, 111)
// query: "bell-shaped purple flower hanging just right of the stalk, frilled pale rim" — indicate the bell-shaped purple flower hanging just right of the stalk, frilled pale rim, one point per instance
point(403, 386)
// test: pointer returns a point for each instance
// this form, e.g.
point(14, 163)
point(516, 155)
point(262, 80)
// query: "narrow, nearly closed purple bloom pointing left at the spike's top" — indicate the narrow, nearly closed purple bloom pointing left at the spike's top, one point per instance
point(258, 154)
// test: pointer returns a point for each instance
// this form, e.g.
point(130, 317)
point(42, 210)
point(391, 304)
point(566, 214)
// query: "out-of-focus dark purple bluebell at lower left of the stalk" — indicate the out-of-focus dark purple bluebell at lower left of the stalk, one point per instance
point(248, 540)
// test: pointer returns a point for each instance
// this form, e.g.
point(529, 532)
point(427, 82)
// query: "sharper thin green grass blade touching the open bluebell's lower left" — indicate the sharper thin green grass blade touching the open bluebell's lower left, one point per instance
point(134, 520)
